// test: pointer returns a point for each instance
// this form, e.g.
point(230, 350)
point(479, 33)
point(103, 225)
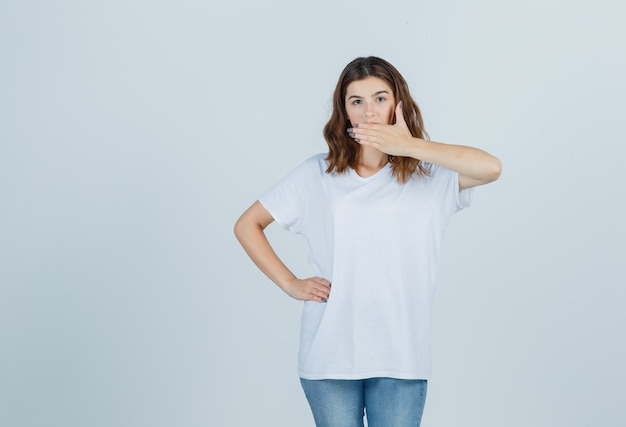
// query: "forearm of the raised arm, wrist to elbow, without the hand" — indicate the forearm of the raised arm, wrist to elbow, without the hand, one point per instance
point(470, 162)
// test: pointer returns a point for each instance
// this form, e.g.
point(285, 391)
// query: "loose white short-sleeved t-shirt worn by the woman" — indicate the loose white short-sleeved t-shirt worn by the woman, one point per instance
point(378, 242)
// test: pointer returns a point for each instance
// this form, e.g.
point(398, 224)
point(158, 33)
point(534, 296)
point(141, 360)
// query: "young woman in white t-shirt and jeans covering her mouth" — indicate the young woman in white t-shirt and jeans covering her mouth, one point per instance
point(373, 211)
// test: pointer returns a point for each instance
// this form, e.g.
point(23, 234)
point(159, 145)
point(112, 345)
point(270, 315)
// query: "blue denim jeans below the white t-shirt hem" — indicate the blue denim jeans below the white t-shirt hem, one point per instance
point(387, 402)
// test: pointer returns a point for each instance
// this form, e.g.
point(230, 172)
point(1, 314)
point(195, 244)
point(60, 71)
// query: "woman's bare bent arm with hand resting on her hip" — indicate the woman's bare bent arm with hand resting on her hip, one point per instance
point(249, 230)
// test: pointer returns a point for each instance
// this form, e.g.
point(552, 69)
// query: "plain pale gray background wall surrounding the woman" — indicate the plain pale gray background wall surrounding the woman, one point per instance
point(133, 134)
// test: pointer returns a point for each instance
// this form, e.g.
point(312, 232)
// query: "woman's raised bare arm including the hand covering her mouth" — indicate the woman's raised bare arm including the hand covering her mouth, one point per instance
point(475, 166)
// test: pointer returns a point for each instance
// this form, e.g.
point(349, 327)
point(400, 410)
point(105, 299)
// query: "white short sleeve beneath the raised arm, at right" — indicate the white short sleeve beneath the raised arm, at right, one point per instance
point(444, 189)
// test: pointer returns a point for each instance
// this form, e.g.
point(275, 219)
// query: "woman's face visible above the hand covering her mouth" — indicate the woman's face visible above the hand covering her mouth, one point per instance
point(370, 100)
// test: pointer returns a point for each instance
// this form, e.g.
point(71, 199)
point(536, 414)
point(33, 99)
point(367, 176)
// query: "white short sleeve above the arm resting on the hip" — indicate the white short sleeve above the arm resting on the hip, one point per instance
point(287, 200)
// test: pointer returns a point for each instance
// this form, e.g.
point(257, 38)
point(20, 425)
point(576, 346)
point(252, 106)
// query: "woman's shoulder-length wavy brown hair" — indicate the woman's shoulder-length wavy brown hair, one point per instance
point(343, 151)
